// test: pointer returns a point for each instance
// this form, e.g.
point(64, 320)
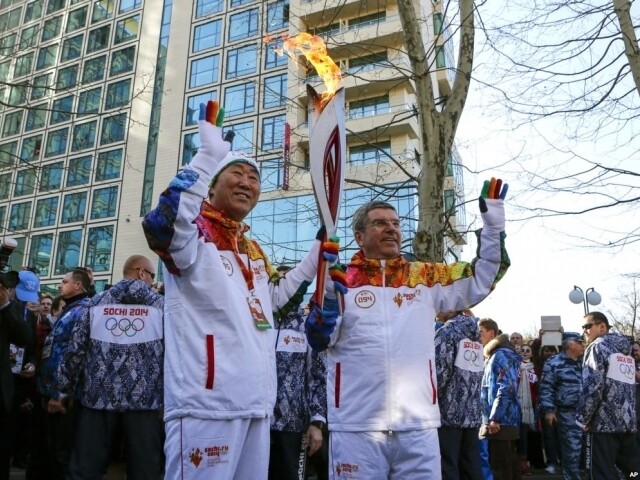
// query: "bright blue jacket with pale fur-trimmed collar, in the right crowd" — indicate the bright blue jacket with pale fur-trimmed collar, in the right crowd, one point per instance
point(500, 383)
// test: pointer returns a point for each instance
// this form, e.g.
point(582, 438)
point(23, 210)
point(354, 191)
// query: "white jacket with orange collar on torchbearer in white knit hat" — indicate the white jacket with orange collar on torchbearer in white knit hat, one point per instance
point(218, 363)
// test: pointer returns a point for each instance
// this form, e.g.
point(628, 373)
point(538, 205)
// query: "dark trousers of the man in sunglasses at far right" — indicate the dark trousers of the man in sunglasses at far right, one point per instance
point(606, 451)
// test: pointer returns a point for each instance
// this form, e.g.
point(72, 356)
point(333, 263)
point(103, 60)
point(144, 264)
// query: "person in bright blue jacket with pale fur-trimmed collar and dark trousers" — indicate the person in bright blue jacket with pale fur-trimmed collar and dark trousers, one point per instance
point(501, 416)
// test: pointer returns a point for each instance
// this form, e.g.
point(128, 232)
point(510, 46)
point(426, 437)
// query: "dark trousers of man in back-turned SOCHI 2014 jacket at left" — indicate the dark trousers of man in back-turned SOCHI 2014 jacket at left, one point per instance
point(96, 435)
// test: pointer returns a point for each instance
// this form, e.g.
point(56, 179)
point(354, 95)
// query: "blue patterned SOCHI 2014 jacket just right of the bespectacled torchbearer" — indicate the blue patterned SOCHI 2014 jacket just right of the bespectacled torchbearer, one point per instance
point(459, 366)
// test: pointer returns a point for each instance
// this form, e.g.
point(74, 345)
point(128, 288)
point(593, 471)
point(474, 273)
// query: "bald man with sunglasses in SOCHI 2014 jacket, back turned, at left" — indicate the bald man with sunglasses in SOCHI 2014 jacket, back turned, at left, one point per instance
point(115, 354)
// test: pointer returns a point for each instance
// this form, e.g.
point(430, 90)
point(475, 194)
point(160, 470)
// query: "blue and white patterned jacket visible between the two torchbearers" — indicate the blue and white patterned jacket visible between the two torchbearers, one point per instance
point(302, 386)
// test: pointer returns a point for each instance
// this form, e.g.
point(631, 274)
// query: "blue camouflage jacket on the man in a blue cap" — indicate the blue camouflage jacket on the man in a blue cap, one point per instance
point(560, 384)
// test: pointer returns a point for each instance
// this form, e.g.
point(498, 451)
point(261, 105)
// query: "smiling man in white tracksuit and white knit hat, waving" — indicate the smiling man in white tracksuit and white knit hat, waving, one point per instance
point(220, 292)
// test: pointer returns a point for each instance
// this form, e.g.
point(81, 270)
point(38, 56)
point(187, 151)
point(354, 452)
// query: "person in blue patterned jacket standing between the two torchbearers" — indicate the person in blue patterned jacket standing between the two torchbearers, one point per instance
point(300, 414)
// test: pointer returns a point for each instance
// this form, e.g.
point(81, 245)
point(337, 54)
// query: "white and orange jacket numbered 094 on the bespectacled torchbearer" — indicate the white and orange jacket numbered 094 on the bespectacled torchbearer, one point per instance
point(381, 364)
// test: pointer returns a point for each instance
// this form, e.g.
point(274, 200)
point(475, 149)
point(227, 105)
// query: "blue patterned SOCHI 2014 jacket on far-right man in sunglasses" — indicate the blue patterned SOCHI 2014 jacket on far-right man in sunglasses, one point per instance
point(607, 401)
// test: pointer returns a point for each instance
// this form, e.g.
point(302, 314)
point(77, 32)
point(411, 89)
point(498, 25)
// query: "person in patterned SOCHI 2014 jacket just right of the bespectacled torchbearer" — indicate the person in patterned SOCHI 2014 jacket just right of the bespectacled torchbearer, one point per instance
point(459, 367)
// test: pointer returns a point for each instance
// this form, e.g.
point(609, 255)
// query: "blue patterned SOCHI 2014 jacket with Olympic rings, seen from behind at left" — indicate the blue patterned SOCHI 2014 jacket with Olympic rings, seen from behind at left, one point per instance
point(116, 350)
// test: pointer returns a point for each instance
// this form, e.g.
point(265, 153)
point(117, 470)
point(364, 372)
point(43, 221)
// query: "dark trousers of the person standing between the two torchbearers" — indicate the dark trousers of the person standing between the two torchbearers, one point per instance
point(286, 460)
